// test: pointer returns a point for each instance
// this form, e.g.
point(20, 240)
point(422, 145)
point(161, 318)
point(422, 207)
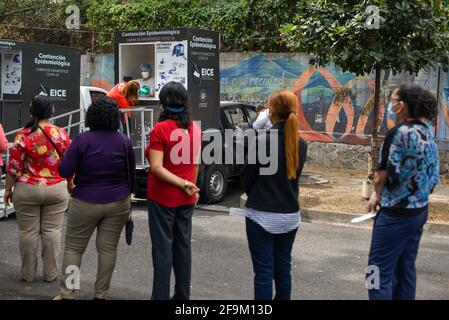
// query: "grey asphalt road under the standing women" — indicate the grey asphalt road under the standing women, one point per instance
point(328, 263)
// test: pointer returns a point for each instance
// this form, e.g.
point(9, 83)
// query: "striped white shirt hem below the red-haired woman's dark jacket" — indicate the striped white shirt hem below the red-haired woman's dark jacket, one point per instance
point(275, 223)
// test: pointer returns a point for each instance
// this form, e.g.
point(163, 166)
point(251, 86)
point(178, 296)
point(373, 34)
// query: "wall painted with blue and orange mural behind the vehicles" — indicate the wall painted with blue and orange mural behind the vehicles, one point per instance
point(334, 106)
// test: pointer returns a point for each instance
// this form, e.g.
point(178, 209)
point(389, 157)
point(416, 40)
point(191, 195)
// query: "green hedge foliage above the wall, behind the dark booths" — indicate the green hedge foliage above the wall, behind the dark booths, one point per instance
point(245, 25)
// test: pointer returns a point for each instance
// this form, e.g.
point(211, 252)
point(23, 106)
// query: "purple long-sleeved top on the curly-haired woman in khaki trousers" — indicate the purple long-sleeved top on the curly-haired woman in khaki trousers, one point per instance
point(98, 160)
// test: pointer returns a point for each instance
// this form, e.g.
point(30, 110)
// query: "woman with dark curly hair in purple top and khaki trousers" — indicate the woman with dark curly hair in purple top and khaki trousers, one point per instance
point(103, 163)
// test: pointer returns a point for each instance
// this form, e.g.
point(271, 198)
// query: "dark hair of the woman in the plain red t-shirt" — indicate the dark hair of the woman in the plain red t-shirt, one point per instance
point(174, 95)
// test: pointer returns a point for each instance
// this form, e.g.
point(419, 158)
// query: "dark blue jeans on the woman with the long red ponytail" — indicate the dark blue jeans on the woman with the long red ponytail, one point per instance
point(271, 255)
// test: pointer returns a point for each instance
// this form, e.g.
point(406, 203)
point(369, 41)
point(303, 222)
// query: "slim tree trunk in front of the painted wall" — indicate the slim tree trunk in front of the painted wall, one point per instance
point(375, 143)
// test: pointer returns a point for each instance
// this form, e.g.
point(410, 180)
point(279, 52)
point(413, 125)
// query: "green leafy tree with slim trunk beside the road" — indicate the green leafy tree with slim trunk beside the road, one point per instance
point(410, 36)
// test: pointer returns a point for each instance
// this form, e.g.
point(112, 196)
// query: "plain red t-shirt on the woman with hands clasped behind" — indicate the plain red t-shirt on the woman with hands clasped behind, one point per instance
point(180, 153)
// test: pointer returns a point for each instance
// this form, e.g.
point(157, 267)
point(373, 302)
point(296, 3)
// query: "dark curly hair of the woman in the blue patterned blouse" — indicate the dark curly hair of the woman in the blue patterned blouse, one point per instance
point(421, 103)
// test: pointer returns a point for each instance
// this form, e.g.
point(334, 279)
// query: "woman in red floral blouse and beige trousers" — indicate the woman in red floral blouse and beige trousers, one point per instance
point(40, 194)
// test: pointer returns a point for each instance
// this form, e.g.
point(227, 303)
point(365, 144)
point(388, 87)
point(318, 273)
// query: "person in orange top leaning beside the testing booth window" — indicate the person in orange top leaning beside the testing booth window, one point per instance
point(125, 95)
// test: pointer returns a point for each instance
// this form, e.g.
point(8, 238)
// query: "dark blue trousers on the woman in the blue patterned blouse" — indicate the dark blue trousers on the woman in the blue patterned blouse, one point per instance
point(394, 248)
